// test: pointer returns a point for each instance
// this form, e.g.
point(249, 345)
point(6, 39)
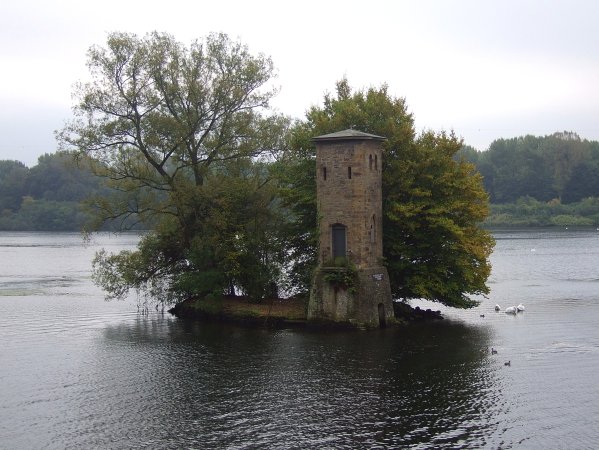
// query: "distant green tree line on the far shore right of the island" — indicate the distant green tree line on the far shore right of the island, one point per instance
point(540, 180)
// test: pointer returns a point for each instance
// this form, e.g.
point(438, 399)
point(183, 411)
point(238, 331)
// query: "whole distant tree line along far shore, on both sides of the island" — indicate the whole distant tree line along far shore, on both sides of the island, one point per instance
point(531, 181)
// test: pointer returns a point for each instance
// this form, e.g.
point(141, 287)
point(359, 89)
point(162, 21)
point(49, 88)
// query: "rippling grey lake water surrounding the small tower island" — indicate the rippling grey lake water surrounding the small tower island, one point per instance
point(79, 372)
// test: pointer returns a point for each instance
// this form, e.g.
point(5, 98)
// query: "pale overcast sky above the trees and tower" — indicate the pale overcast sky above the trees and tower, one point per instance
point(486, 69)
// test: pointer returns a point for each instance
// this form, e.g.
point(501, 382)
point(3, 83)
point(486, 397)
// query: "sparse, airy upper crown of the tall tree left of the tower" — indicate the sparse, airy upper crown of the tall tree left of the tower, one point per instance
point(157, 116)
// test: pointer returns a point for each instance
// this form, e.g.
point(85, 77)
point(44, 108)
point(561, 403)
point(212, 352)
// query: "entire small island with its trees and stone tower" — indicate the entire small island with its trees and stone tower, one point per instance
point(350, 208)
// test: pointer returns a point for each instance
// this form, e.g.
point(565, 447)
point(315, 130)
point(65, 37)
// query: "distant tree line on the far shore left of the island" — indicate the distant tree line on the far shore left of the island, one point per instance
point(46, 197)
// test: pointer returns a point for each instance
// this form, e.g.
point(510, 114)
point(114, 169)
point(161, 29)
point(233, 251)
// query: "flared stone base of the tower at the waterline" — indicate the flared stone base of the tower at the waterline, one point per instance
point(365, 304)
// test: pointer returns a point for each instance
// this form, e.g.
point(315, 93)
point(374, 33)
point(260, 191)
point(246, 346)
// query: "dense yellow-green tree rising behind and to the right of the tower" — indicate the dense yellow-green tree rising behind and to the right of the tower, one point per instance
point(432, 203)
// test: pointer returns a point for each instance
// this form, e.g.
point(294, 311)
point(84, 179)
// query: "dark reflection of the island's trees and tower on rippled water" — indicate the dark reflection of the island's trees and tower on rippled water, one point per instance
point(199, 385)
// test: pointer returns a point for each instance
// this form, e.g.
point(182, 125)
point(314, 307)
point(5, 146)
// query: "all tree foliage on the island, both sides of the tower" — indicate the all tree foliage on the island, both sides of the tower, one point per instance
point(182, 137)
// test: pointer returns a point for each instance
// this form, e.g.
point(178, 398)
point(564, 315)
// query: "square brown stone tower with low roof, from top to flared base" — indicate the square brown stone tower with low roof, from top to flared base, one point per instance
point(351, 284)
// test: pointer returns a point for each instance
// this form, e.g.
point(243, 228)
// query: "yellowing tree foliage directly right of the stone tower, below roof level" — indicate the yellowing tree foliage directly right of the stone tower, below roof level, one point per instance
point(434, 244)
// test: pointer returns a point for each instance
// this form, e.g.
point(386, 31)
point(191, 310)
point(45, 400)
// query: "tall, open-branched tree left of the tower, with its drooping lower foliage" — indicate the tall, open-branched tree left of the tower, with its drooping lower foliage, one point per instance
point(177, 132)
